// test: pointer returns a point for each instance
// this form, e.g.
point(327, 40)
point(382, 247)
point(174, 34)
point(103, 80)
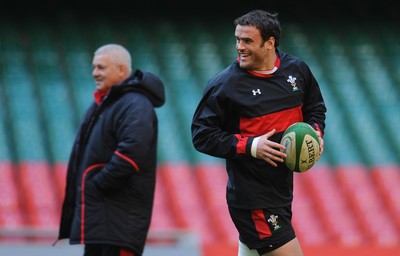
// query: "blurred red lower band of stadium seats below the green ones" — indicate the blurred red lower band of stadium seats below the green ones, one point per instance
point(346, 205)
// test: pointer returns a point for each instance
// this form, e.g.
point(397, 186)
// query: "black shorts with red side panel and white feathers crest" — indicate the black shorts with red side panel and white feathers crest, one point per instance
point(263, 229)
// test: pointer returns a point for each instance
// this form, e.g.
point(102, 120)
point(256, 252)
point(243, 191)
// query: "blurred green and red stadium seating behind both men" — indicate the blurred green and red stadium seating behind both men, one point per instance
point(46, 85)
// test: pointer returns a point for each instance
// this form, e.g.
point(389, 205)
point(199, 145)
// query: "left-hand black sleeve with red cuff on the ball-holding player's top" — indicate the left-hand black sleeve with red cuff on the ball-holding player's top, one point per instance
point(208, 133)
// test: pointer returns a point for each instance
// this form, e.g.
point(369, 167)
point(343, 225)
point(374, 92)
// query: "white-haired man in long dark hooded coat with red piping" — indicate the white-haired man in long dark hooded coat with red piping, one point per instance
point(111, 172)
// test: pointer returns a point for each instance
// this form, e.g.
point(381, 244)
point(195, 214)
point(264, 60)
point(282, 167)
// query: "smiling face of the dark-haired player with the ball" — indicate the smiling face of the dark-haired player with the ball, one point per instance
point(253, 52)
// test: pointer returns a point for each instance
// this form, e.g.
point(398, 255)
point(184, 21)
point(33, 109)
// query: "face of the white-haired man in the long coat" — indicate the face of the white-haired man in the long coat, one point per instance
point(106, 72)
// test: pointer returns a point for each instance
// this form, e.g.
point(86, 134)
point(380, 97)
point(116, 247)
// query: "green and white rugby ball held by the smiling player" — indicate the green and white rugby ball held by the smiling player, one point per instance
point(301, 147)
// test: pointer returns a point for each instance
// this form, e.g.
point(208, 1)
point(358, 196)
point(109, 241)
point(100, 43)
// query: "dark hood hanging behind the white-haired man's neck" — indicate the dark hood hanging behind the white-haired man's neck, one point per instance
point(143, 82)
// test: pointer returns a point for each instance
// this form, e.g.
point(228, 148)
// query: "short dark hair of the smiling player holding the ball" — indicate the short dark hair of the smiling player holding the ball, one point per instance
point(267, 23)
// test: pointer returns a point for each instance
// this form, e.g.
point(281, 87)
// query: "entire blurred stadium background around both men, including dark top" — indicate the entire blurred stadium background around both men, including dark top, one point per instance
point(347, 204)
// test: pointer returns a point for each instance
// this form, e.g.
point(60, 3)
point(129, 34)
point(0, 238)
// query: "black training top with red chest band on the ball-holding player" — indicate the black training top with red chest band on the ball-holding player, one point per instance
point(238, 106)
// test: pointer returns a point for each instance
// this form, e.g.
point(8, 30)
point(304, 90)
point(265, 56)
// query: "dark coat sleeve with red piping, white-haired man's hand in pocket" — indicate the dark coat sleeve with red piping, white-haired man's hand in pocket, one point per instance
point(136, 137)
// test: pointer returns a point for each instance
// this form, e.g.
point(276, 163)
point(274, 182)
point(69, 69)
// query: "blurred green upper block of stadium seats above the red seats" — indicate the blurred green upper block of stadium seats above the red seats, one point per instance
point(46, 84)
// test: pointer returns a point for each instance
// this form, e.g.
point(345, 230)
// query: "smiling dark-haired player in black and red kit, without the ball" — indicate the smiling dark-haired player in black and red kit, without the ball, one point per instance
point(243, 113)
